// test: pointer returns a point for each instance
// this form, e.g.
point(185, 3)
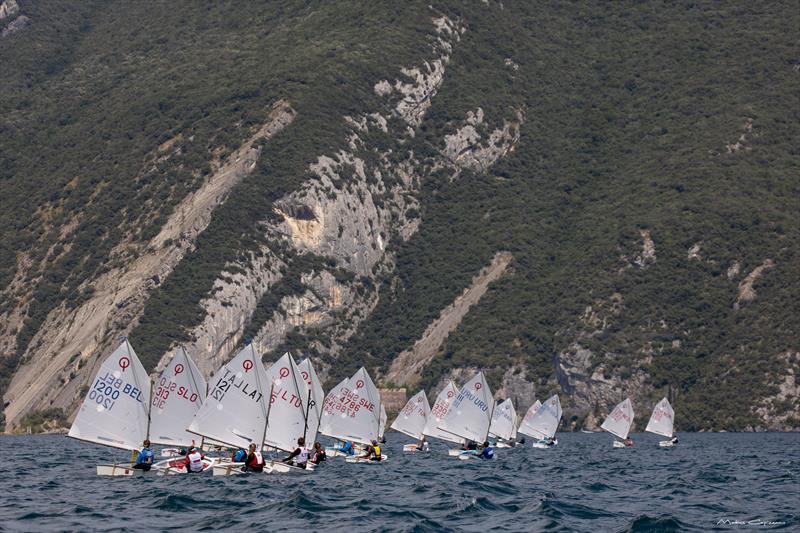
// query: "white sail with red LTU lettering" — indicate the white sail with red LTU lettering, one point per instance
point(287, 411)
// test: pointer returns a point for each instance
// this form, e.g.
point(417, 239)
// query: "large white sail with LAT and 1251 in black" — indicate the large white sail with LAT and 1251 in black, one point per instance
point(235, 410)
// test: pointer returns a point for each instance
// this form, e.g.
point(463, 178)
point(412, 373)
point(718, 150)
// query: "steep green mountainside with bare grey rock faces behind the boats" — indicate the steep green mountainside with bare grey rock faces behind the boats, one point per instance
point(337, 181)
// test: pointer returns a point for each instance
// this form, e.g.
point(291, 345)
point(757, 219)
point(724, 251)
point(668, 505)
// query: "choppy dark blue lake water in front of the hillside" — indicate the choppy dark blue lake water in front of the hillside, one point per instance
point(49, 484)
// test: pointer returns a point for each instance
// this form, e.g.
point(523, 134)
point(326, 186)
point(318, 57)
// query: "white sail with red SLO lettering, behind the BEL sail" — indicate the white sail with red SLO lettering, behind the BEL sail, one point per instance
point(177, 396)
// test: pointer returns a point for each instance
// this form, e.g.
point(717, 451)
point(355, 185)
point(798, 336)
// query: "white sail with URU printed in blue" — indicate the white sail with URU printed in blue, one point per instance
point(470, 414)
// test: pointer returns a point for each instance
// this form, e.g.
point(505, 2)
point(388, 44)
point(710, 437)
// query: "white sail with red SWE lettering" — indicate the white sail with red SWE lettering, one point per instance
point(356, 411)
